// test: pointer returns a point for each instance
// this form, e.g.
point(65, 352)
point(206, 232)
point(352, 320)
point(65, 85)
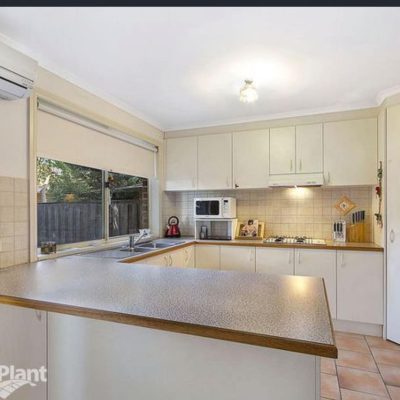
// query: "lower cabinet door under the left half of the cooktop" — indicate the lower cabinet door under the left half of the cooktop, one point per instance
point(275, 261)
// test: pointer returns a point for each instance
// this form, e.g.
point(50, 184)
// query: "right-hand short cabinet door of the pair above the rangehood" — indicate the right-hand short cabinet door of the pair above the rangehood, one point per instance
point(309, 149)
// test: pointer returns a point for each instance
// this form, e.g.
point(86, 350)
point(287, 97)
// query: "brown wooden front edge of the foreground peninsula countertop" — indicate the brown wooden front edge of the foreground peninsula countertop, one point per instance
point(299, 346)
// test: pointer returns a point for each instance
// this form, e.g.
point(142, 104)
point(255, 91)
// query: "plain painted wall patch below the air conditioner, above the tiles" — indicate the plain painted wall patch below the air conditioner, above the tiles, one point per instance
point(14, 138)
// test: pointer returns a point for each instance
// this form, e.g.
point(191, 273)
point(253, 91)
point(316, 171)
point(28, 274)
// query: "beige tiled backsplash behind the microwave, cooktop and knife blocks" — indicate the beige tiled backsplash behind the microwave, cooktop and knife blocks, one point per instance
point(294, 211)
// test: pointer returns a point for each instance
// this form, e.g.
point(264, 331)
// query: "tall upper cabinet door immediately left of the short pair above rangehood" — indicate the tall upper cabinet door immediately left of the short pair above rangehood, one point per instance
point(250, 159)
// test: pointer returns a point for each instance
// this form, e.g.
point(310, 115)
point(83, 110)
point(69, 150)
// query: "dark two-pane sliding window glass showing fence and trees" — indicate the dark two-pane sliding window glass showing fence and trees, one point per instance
point(72, 201)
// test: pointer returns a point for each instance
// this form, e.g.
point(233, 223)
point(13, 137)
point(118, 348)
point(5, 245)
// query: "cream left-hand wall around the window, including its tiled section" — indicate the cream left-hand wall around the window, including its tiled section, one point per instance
point(14, 168)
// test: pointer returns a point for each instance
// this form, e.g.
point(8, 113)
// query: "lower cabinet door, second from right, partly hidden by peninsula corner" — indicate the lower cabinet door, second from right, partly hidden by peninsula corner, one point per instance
point(320, 263)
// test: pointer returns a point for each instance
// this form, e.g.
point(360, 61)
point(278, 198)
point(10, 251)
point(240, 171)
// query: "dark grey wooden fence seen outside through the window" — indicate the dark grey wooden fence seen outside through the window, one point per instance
point(82, 221)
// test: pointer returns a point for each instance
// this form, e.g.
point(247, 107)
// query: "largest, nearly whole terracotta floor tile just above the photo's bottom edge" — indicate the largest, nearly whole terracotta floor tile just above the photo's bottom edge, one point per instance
point(361, 381)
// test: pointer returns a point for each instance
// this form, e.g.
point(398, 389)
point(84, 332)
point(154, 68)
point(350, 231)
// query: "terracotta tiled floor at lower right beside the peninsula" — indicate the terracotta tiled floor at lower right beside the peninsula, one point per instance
point(367, 368)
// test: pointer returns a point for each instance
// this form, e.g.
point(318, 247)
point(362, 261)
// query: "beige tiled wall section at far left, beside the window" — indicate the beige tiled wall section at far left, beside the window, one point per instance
point(14, 221)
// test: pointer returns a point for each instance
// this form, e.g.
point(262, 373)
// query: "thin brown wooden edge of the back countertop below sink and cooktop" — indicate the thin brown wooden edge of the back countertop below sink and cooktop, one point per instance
point(345, 247)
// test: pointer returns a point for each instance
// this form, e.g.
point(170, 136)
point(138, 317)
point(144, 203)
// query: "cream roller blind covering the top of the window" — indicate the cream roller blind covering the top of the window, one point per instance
point(66, 136)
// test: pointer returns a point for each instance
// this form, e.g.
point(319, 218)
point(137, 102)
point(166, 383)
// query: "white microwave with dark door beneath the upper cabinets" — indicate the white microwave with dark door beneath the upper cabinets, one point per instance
point(215, 207)
